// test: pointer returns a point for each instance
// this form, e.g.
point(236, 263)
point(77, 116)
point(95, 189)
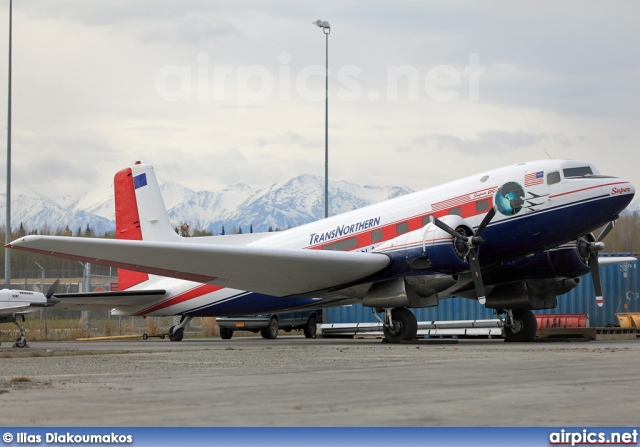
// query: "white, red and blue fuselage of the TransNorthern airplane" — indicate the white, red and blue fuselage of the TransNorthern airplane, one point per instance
point(539, 206)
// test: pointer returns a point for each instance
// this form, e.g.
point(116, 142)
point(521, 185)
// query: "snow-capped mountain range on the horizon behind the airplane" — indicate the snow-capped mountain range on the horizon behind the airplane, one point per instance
point(238, 206)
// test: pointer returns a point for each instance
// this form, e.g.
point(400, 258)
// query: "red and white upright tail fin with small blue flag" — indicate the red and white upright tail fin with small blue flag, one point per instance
point(140, 214)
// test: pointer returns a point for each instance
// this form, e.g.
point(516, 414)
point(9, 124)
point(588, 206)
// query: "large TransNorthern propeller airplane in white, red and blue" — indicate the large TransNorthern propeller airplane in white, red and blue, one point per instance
point(513, 238)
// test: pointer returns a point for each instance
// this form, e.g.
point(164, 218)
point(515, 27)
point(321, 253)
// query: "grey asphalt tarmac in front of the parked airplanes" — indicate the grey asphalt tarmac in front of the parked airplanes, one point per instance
point(293, 381)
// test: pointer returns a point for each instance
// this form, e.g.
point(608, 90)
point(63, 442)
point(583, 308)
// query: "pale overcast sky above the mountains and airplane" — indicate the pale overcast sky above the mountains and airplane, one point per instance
point(214, 93)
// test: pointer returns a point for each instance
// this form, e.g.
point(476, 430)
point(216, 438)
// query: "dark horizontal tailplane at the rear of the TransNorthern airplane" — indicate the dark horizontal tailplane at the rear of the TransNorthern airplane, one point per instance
point(107, 300)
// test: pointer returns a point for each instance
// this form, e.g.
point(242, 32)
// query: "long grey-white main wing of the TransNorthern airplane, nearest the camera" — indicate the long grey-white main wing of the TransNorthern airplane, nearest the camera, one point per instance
point(268, 270)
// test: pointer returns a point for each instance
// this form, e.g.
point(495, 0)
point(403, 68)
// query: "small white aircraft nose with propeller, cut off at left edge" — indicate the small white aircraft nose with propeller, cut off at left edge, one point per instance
point(15, 304)
